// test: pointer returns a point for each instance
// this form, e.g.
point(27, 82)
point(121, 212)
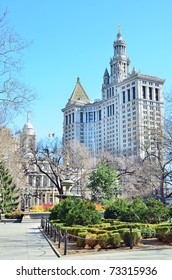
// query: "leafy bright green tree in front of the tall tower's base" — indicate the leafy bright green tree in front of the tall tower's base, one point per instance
point(102, 181)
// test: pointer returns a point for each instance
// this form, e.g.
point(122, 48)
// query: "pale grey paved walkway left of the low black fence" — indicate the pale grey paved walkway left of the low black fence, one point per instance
point(24, 241)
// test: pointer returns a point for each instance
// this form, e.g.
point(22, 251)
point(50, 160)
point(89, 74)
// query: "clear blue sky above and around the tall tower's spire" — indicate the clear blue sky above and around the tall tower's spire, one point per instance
point(75, 38)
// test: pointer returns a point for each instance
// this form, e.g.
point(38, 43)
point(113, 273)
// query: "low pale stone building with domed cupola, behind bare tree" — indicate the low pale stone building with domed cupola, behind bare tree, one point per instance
point(40, 189)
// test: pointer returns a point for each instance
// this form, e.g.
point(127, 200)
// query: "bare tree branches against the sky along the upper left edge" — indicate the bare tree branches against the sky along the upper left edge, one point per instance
point(14, 95)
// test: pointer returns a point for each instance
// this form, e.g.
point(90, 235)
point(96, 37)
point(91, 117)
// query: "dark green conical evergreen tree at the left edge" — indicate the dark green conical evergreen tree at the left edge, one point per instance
point(8, 190)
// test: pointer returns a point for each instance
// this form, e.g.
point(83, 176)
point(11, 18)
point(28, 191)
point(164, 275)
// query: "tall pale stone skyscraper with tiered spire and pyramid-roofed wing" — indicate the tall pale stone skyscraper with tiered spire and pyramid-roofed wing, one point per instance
point(121, 122)
